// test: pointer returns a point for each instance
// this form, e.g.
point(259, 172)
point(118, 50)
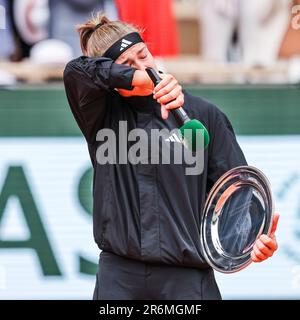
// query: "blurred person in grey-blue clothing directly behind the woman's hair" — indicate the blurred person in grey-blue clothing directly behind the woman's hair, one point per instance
point(67, 13)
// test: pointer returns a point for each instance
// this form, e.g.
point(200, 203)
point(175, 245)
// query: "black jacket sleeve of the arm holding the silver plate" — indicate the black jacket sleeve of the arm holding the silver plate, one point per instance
point(224, 150)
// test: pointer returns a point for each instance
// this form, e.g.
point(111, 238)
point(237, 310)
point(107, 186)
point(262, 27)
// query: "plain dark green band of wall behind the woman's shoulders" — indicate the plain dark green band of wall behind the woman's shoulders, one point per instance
point(253, 110)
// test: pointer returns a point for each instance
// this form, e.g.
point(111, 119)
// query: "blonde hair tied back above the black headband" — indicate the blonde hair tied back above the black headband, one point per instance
point(99, 33)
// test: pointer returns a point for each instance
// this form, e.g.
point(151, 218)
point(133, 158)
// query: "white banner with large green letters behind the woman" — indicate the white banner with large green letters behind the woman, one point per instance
point(52, 168)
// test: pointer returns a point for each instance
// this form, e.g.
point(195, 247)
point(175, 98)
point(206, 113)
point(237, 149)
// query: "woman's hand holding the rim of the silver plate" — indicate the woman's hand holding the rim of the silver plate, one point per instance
point(265, 246)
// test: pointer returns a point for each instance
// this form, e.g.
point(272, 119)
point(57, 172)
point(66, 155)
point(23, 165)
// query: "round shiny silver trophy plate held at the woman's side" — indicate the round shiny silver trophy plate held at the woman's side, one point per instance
point(239, 208)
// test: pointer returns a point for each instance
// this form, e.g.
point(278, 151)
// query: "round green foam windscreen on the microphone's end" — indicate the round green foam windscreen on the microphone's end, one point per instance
point(190, 136)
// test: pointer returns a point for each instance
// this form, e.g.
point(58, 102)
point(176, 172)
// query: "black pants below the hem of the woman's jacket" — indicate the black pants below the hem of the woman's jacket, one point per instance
point(120, 278)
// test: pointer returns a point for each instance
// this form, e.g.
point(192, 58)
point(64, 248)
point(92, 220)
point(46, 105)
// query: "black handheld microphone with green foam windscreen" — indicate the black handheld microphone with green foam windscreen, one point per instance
point(183, 120)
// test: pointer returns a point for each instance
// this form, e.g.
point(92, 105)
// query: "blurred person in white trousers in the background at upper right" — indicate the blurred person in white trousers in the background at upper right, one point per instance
point(259, 26)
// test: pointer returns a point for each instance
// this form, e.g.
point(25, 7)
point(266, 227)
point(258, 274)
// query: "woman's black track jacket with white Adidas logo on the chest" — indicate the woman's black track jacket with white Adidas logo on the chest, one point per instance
point(148, 212)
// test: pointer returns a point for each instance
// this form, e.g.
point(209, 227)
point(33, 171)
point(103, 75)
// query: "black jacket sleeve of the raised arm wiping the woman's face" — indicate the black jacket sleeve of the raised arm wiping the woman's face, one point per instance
point(88, 81)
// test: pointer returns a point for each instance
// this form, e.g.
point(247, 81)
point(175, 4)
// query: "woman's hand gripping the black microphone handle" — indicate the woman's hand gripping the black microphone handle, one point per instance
point(169, 94)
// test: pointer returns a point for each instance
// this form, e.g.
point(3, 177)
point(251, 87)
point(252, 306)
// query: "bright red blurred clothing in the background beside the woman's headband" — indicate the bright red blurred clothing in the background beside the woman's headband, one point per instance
point(157, 18)
